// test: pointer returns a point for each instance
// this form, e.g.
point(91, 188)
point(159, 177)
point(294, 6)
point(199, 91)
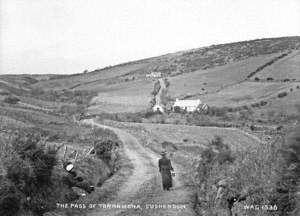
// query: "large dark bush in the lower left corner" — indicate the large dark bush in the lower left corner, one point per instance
point(28, 174)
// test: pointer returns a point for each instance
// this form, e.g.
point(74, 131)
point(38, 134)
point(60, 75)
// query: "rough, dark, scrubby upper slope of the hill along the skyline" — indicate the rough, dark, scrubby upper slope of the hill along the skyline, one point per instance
point(178, 63)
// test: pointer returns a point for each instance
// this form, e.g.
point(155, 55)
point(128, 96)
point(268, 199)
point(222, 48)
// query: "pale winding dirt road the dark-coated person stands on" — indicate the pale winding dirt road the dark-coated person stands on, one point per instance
point(143, 190)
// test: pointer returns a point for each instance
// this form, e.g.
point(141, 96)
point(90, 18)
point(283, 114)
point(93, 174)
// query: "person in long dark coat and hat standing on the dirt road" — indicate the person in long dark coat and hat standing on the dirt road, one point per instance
point(165, 168)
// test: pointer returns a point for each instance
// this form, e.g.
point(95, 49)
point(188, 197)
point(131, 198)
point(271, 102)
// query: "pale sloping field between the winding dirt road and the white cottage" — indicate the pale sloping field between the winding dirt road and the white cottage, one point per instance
point(188, 139)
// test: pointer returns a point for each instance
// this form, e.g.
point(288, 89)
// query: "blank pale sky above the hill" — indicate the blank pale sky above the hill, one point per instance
point(70, 36)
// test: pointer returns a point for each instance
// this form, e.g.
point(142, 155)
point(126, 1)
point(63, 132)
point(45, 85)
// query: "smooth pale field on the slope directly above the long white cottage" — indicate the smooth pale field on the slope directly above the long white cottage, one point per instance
point(215, 79)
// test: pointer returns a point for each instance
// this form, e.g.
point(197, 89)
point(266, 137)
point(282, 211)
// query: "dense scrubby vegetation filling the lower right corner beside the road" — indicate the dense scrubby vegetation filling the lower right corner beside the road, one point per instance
point(227, 181)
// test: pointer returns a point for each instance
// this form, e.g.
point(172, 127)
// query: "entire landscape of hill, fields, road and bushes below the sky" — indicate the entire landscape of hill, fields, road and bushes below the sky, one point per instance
point(236, 152)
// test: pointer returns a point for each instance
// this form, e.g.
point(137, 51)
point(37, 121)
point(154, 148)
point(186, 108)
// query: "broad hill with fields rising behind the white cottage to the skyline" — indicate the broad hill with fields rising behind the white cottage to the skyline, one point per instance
point(212, 73)
